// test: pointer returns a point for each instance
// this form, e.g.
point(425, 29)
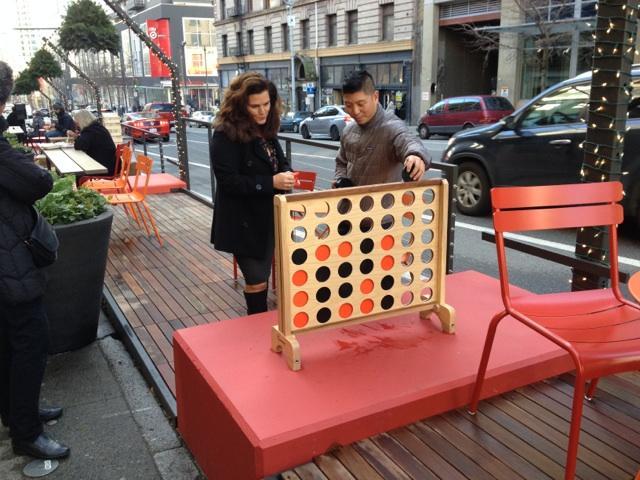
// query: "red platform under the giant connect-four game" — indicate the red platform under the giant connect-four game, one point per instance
point(244, 414)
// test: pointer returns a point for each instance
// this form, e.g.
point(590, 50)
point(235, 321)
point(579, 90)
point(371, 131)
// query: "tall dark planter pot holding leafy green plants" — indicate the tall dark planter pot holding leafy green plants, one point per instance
point(74, 289)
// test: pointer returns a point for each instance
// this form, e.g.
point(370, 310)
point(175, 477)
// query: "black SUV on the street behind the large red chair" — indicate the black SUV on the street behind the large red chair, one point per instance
point(540, 144)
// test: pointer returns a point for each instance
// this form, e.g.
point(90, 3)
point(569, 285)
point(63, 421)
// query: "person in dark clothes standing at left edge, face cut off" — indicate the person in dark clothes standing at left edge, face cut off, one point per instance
point(23, 321)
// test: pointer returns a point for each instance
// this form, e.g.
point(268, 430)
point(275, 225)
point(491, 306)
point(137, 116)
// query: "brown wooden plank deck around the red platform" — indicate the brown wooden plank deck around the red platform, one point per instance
point(520, 435)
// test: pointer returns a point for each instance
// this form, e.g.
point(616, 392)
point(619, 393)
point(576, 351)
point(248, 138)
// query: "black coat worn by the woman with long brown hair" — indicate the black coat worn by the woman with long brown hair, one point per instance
point(243, 209)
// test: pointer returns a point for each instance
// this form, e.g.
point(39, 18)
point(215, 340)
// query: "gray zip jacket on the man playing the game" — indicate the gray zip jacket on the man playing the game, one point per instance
point(375, 152)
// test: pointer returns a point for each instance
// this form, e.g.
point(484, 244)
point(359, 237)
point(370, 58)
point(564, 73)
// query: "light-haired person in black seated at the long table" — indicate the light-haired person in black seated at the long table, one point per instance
point(94, 139)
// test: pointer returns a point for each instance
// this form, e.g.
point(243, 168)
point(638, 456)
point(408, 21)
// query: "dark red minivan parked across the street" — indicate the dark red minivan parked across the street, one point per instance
point(457, 113)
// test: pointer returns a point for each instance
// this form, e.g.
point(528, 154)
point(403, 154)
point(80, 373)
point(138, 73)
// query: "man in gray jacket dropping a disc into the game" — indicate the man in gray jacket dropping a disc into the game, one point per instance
point(377, 146)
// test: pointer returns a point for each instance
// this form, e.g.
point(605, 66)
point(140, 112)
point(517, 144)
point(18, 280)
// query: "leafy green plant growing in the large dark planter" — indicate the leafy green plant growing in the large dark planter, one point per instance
point(65, 204)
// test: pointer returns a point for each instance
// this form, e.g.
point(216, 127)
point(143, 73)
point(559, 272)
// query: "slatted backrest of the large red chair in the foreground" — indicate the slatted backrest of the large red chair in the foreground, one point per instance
point(556, 206)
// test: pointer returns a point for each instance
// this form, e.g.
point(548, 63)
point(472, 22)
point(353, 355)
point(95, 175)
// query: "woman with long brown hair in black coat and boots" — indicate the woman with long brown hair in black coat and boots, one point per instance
point(250, 168)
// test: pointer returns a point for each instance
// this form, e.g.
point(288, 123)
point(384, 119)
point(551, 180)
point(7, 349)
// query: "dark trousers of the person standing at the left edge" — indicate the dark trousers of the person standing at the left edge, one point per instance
point(24, 340)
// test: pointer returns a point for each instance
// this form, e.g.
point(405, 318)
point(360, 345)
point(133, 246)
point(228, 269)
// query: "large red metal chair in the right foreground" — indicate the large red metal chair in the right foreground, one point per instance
point(599, 329)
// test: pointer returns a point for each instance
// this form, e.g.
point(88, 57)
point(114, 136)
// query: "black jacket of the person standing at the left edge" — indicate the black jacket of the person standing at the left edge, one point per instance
point(22, 182)
